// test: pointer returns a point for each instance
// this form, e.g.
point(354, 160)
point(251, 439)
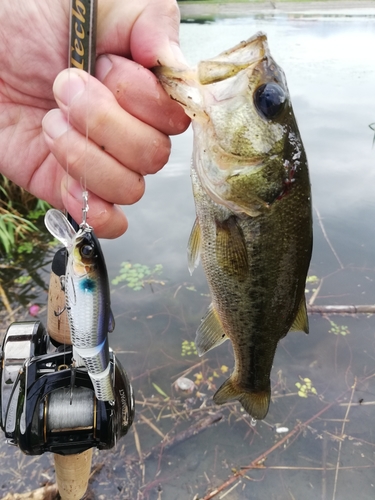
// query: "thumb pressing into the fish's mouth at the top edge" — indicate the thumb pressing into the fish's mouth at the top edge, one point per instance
point(154, 37)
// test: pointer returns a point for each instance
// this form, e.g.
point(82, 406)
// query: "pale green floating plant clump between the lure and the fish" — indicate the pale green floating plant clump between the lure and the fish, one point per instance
point(136, 276)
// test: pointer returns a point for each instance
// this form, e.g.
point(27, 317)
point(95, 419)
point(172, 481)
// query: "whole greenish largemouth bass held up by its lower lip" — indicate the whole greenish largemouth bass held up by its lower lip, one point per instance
point(253, 230)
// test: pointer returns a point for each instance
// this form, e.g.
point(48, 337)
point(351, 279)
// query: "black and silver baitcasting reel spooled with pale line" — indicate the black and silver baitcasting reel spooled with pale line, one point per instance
point(45, 408)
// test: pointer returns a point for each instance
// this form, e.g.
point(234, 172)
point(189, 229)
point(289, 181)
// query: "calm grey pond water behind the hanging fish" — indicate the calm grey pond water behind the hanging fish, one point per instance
point(327, 447)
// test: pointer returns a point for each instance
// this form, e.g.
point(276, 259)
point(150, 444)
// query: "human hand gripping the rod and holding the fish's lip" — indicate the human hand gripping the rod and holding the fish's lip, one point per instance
point(129, 116)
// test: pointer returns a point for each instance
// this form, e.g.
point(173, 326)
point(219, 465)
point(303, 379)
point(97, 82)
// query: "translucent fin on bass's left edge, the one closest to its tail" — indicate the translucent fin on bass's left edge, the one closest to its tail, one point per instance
point(210, 333)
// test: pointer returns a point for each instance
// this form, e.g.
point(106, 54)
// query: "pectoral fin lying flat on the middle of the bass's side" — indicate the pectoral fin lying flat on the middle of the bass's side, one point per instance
point(231, 252)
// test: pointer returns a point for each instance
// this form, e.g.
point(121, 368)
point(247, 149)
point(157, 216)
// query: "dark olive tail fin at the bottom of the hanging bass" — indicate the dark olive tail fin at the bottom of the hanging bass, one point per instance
point(255, 403)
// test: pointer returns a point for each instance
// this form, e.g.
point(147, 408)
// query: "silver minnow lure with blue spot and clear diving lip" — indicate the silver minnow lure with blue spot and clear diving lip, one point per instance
point(87, 299)
